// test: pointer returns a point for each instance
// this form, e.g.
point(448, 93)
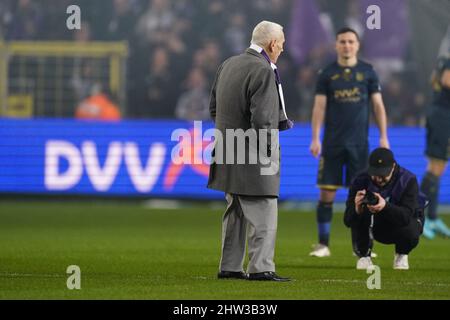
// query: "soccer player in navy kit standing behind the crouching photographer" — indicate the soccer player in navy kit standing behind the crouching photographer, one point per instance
point(344, 91)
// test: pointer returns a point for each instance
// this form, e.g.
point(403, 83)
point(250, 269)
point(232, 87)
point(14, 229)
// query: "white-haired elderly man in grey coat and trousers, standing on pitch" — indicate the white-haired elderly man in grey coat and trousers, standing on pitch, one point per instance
point(247, 107)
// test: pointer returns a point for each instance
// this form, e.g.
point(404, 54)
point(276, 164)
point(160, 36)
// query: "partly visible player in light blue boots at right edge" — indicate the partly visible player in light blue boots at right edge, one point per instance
point(438, 147)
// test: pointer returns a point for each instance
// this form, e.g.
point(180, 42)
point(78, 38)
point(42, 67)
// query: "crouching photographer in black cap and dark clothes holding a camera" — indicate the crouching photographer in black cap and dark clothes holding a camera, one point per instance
point(384, 204)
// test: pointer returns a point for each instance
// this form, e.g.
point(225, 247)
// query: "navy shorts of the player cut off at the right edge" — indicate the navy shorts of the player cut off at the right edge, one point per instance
point(438, 134)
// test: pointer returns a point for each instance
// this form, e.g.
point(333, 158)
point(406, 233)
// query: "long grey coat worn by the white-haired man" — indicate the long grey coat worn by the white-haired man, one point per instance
point(244, 96)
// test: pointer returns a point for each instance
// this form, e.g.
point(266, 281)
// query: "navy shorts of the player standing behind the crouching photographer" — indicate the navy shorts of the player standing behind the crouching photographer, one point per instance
point(339, 165)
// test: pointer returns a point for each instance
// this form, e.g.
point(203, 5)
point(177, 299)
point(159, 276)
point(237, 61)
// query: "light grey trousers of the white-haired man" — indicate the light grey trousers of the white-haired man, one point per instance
point(255, 218)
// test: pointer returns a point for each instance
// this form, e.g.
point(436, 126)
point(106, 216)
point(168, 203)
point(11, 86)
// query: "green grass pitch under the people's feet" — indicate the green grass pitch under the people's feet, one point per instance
point(126, 251)
